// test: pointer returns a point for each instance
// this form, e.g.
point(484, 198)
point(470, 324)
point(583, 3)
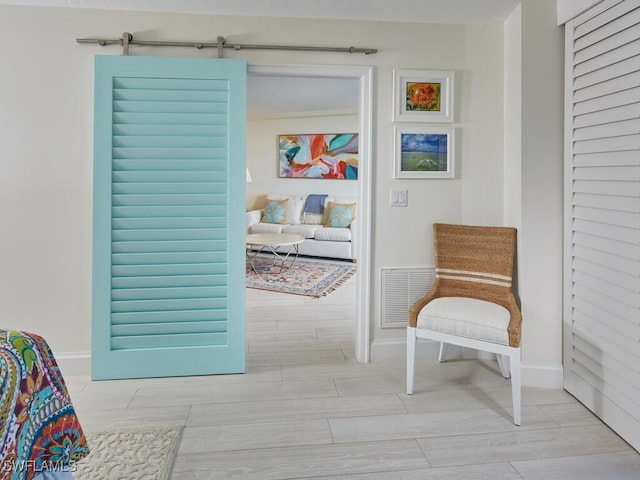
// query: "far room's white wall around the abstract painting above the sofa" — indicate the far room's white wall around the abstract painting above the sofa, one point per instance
point(262, 156)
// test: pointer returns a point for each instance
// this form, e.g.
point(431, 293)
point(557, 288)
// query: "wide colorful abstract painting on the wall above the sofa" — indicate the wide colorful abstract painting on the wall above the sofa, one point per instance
point(318, 155)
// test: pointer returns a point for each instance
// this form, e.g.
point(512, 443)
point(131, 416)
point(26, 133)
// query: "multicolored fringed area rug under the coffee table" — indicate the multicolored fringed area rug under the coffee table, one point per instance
point(313, 279)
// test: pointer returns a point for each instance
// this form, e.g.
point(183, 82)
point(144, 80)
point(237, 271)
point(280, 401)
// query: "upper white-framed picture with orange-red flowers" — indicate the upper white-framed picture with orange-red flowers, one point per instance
point(423, 96)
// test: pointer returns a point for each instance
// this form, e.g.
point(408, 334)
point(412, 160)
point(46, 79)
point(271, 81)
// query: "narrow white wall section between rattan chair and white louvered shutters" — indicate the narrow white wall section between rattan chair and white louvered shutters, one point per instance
point(533, 200)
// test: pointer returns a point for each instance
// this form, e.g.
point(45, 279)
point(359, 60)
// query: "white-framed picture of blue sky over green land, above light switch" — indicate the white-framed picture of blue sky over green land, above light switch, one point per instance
point(424, 152)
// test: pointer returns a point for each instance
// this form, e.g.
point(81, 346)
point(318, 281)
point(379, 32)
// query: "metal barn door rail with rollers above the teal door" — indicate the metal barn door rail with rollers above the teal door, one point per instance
point(127, 39)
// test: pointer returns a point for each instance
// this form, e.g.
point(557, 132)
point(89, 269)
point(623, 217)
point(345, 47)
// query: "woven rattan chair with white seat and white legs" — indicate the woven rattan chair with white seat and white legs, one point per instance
point(471, 303)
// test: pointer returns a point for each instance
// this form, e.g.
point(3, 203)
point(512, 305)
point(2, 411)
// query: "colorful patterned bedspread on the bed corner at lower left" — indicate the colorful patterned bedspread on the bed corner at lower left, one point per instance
point(39, 429)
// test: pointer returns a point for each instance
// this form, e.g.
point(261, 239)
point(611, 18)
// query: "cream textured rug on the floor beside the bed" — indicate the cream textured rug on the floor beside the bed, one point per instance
point(142, 453)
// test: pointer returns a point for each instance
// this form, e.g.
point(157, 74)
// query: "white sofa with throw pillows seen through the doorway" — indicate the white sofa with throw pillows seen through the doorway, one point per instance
point(321, 239)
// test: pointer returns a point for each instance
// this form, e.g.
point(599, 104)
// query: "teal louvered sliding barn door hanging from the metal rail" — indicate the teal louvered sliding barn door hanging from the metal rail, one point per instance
point(169, 209)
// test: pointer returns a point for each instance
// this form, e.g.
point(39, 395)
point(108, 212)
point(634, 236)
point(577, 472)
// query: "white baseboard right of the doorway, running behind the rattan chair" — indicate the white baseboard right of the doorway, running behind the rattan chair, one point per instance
point(396, 348)
